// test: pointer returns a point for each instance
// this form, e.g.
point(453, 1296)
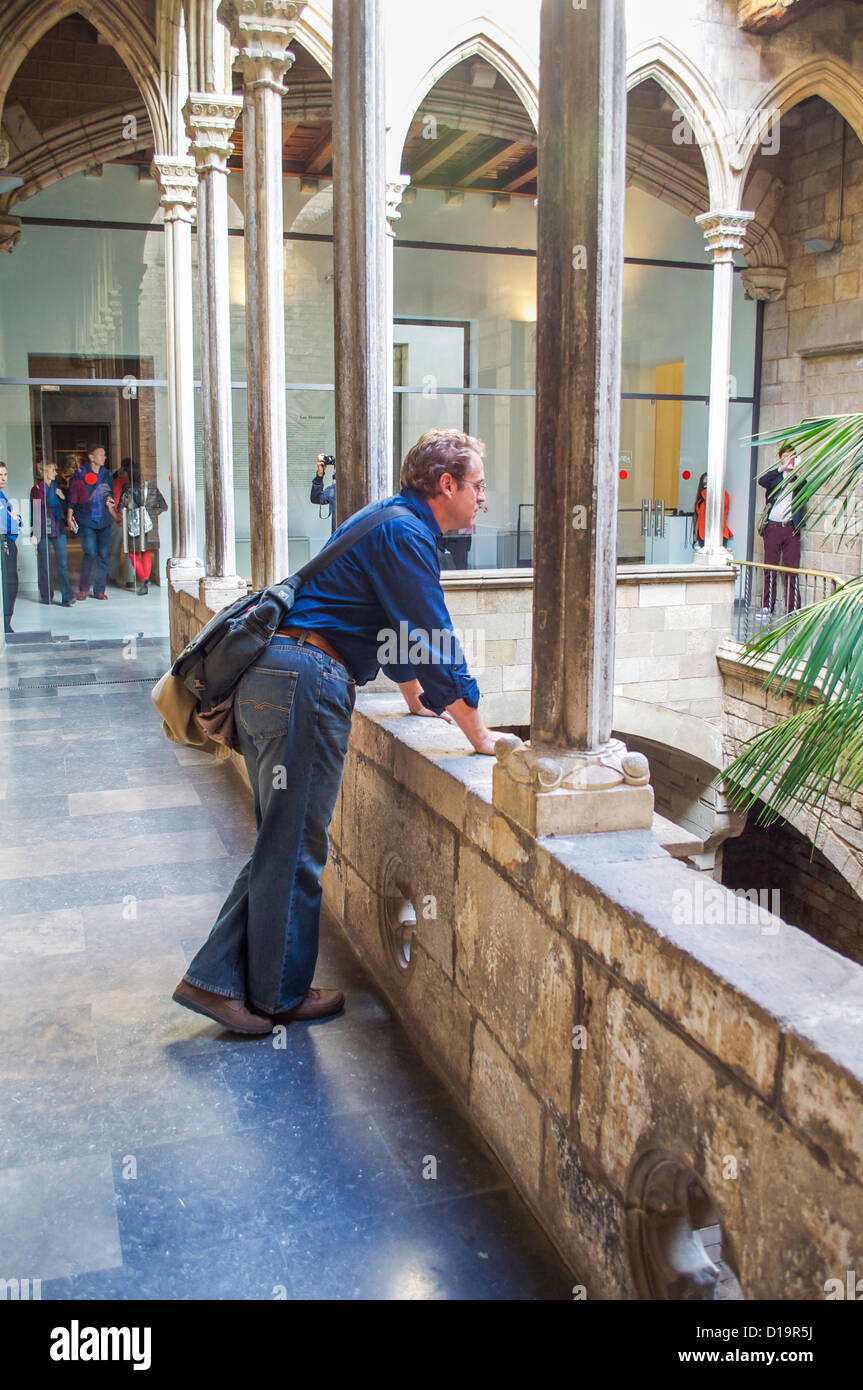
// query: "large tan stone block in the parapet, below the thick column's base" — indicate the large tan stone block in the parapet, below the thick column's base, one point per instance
point(519, 974)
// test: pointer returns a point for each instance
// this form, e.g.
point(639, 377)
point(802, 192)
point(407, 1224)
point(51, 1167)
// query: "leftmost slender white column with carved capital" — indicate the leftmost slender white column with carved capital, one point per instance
point(179, 183)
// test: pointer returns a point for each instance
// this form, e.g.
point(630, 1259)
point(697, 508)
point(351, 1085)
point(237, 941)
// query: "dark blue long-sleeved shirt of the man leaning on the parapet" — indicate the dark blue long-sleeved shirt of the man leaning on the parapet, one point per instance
point(383, 598)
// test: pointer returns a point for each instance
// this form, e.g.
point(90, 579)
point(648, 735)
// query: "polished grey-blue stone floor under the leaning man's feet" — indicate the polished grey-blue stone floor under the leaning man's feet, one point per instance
point(148, 1154)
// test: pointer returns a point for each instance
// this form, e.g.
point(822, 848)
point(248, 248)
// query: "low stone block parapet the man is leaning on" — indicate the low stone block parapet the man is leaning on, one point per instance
point(576, 1004)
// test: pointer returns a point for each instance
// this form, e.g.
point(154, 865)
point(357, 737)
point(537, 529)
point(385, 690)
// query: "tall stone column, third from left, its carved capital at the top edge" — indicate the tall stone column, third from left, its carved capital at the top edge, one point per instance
point(261, 33)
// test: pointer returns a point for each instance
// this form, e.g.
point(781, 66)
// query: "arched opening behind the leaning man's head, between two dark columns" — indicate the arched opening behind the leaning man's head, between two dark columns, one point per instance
point(466, 295)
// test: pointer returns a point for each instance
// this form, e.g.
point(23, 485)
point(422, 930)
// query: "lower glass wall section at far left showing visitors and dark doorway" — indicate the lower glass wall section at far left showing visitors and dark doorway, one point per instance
point(48, 433)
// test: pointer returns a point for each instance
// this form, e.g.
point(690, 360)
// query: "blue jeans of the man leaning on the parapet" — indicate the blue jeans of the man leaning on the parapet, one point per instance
point(293, 714)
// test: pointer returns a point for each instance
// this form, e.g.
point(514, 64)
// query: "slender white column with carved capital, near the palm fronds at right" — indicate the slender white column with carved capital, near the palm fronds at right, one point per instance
point(725, 233)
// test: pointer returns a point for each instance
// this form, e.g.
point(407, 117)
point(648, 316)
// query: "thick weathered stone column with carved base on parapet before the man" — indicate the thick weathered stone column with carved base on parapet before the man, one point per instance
point(573, 776)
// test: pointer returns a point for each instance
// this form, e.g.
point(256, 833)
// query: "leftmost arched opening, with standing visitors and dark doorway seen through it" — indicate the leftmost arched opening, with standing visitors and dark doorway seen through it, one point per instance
point(83, 332)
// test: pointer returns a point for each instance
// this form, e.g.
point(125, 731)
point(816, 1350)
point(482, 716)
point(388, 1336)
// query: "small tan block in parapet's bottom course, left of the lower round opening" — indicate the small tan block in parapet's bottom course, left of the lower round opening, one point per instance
point(507, 1110)
